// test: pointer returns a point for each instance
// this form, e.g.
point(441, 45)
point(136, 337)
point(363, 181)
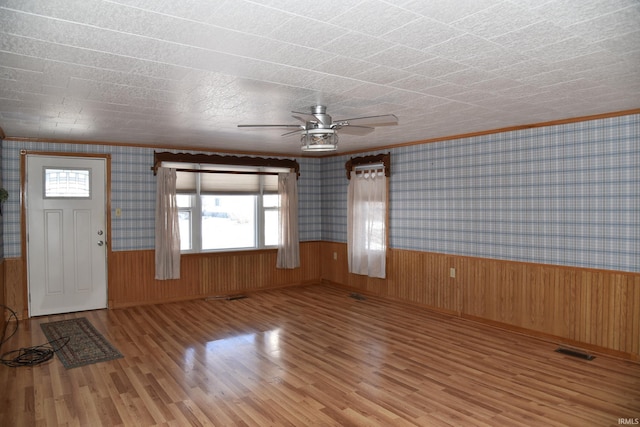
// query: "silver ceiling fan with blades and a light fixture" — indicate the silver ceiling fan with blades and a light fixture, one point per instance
point(319, 132)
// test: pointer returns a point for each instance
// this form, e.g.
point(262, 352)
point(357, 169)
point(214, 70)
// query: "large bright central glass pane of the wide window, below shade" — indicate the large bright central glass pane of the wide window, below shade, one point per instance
point(228, 221)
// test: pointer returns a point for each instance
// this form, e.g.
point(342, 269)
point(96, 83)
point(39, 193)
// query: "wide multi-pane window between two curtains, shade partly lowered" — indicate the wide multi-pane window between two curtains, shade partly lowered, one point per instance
point(223, 211)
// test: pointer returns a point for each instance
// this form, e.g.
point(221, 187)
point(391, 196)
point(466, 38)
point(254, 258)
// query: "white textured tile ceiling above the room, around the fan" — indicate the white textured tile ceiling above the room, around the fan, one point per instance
point(185, 73)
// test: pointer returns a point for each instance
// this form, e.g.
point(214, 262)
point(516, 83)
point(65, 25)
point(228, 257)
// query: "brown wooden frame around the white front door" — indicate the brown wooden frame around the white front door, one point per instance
point(23, 216)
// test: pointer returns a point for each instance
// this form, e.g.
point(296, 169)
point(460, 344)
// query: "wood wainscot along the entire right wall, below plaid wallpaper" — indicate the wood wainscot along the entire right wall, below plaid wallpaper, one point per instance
point(591, 309)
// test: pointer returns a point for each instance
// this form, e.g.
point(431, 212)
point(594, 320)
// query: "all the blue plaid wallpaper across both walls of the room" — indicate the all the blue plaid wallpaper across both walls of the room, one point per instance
point(567, 194)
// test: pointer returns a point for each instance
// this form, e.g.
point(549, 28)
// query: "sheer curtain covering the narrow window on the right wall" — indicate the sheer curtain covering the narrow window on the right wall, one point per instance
point(366, 223)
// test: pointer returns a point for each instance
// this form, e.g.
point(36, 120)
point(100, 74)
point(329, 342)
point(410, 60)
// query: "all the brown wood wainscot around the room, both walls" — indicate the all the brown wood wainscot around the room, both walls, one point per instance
point(591, 309)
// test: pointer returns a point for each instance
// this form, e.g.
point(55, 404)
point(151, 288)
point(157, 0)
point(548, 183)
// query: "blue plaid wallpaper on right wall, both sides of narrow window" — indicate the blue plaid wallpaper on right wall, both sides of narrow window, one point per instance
point(567, 194)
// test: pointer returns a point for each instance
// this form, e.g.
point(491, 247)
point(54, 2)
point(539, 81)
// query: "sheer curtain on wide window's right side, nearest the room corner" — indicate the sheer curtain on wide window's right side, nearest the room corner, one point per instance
point(288, 238)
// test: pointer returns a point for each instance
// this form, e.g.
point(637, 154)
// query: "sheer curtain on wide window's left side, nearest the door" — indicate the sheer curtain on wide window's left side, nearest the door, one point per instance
point(167, 226)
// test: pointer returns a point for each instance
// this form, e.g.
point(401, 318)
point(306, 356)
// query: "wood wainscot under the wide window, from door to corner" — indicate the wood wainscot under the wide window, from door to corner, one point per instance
point(132, 282)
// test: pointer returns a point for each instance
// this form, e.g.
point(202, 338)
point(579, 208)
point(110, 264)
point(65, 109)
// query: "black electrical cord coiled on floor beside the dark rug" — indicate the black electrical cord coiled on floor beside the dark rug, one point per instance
point(28, 356)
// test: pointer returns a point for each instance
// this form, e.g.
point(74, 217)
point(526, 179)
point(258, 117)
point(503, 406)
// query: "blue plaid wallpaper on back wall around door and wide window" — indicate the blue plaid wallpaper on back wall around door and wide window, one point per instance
point(133, 187)
